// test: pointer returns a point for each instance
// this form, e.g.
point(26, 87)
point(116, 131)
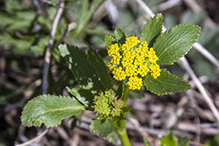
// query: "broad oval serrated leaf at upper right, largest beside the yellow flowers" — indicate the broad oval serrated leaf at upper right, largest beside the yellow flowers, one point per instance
point(176, 42)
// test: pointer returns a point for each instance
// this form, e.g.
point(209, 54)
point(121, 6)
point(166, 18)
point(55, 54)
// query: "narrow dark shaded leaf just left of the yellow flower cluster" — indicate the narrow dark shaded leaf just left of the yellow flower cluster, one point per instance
point(100, 68)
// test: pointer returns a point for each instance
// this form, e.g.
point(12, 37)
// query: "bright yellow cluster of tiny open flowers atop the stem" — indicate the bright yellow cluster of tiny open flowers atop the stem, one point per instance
point(132, 62)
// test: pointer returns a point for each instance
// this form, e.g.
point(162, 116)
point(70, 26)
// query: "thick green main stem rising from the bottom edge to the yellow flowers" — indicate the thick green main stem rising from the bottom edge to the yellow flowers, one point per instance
point(121, 128)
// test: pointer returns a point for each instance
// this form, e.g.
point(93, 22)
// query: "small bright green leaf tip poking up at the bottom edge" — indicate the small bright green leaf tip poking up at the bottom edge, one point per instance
point(169, 140)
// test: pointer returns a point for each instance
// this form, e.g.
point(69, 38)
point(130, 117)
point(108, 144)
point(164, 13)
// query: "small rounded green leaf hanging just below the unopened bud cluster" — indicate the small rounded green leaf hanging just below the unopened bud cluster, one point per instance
point(103, 126)
